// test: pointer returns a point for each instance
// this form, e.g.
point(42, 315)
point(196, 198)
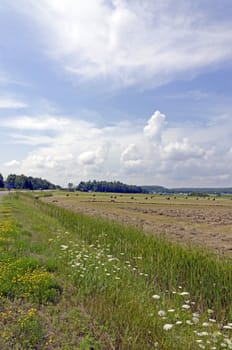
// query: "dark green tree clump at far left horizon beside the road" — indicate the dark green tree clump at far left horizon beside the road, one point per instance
point(25, 182)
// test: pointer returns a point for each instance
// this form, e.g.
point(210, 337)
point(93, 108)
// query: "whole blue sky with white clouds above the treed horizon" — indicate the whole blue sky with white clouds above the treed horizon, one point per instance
point(117, 90)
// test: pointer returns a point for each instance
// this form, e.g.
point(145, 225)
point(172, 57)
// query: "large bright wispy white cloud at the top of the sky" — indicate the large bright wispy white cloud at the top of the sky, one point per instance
point(131, 41)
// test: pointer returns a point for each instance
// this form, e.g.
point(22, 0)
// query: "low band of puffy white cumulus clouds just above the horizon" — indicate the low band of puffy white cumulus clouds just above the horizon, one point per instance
point(77, 150)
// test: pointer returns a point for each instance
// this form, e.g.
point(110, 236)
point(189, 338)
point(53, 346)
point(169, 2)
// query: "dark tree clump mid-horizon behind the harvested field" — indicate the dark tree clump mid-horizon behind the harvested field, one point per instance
point(108, 186)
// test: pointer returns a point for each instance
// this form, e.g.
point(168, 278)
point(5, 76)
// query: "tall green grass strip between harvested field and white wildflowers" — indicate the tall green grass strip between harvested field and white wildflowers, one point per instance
point(168, 265)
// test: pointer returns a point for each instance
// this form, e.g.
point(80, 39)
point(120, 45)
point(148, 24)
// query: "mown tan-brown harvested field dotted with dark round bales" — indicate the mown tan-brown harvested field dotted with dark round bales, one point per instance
point(206, 222)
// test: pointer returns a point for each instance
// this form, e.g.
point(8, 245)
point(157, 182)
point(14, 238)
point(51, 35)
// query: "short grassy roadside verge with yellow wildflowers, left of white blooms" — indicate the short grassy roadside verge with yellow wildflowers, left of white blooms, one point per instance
point(37, 309)
